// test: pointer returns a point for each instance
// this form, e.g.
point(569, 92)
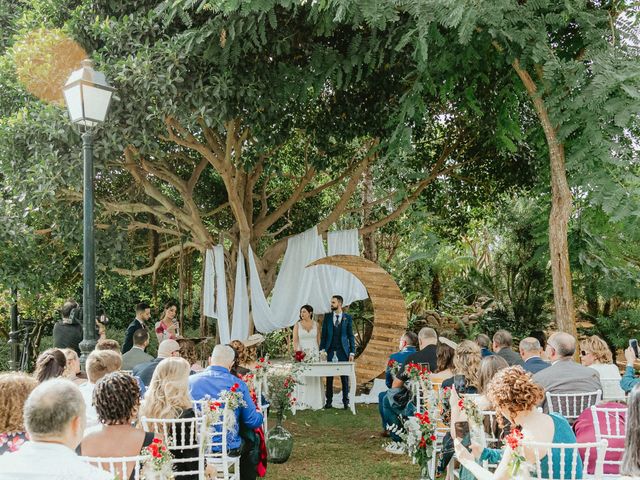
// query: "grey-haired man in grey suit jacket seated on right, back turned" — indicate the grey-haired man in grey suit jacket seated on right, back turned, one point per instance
point(564, 375)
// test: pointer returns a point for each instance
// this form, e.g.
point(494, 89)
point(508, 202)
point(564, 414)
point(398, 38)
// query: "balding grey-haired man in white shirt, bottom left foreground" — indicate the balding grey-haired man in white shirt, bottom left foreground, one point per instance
point(54, 418)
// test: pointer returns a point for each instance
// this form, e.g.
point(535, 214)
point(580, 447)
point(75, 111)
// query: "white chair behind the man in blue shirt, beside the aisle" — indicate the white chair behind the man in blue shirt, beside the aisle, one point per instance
point(215, 447)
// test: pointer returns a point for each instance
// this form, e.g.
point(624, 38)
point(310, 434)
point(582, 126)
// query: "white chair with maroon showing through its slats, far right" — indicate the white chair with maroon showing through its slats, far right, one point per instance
point(609, 424)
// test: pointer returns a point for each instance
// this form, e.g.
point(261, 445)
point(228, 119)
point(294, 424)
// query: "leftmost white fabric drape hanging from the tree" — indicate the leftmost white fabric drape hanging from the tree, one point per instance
point(215, 291)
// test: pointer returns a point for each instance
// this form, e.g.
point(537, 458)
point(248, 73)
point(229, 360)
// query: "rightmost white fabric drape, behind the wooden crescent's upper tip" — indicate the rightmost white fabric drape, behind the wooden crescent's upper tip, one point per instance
point(345, 242)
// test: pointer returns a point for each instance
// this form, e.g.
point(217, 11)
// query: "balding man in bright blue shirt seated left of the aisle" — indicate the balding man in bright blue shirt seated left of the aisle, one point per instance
point(211, 382)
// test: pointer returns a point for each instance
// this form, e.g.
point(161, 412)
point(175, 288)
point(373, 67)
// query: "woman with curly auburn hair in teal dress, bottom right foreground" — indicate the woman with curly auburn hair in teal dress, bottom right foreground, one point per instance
point(516, 397)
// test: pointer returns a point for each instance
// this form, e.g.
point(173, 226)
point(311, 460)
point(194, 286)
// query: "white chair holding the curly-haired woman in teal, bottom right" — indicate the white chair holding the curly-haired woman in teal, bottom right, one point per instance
point(567, 458)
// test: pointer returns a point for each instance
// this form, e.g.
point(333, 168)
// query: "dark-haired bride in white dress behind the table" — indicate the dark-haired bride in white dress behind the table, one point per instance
point(306, 337)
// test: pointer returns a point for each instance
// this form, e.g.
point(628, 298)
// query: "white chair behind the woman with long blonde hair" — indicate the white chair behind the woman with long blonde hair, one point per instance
point(178, 434)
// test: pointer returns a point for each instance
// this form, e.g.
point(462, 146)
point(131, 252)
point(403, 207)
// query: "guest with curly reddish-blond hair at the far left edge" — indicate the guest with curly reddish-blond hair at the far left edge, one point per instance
point(14, 390)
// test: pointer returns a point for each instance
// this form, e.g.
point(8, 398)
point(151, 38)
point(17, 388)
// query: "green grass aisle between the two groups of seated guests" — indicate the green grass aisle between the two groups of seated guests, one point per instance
point(337, 445)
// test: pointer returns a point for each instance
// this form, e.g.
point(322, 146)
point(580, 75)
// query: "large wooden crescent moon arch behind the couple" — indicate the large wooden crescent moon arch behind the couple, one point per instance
point(389, 312)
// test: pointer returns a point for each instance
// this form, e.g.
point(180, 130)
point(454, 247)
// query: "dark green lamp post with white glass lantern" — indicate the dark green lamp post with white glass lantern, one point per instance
point(88, 96)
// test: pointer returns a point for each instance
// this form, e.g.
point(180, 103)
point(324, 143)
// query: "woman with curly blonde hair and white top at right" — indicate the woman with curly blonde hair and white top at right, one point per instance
point(595, 353)
